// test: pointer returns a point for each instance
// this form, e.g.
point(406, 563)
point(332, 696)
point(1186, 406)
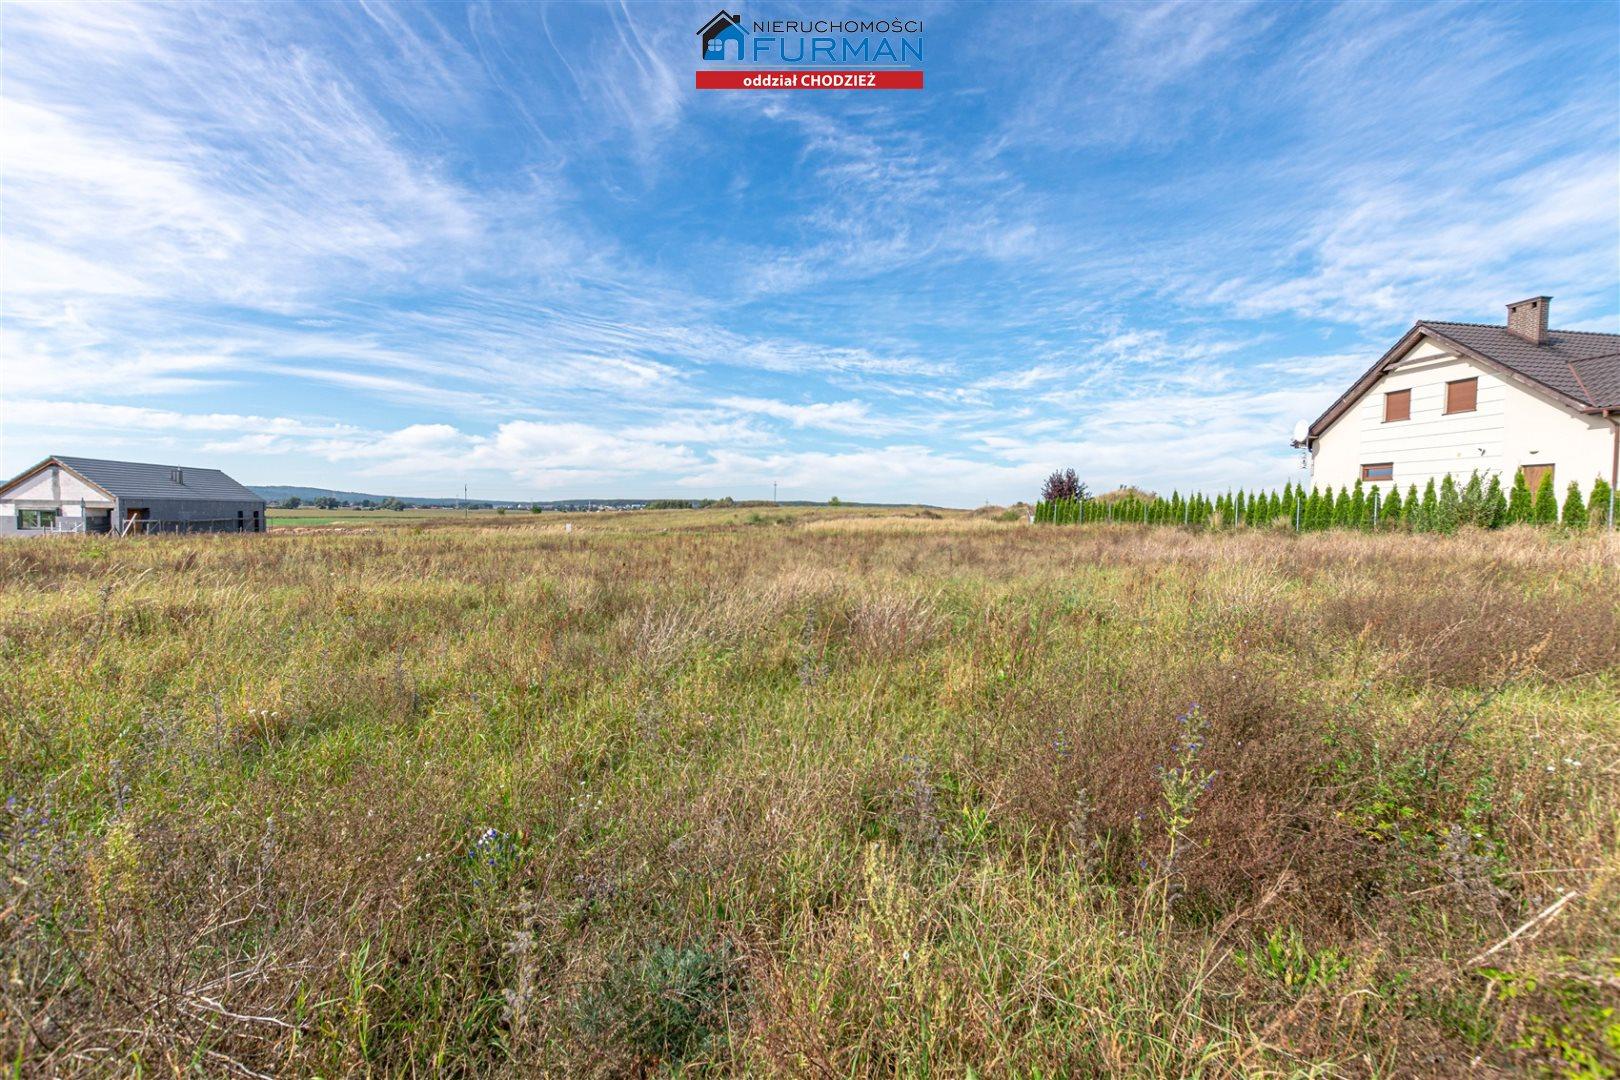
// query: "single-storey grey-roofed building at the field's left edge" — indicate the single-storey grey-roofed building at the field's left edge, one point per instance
point(66, 495)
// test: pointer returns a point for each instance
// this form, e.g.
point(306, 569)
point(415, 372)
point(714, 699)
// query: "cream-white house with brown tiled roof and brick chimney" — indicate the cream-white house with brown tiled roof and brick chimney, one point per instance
point(1456, 398)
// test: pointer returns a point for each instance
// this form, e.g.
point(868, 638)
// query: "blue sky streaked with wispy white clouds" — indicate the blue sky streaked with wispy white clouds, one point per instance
point(404, 249)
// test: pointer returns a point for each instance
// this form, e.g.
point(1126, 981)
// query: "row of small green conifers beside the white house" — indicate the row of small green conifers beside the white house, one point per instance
point(1439, 508)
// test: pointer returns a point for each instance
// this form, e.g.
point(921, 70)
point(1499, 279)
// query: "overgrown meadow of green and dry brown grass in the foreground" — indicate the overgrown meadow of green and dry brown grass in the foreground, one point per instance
point(811, 793)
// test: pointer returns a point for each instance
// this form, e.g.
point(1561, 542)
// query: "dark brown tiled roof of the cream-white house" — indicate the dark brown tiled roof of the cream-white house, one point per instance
point(1577, 367)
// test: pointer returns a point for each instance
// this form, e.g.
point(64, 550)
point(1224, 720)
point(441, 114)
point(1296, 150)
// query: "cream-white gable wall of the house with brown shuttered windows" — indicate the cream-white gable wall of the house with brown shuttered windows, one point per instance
point(1512, 427)
